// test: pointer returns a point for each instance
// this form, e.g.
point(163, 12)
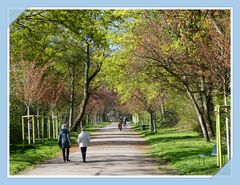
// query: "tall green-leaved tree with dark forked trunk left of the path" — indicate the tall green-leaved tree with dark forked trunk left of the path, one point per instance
point(83, 31)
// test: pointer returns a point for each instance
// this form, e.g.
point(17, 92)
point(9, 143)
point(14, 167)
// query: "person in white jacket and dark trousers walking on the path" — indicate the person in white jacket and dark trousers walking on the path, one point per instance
point(83, 141)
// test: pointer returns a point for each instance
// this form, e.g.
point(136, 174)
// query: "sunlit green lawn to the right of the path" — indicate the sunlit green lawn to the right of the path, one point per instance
point(179, 150)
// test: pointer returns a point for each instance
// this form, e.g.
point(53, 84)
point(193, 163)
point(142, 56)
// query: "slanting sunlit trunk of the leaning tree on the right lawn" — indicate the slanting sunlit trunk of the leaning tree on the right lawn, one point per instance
point(199, 113)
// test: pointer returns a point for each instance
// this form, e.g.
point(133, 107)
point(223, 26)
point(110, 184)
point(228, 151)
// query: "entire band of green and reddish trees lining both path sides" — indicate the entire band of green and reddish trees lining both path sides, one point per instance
point(77, 62)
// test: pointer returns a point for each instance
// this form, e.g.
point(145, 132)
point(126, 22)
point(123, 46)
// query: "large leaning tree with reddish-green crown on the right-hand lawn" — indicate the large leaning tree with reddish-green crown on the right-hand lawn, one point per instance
point(172, 44)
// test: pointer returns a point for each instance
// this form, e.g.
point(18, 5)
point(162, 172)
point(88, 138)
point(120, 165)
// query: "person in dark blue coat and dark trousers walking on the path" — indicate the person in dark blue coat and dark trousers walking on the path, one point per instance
point(64, 142)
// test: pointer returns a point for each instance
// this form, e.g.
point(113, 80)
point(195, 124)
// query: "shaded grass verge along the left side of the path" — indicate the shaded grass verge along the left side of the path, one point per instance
point(24, 156)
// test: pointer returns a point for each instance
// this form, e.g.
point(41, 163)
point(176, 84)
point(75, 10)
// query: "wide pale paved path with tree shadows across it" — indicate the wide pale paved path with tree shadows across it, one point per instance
point(111, 153)
